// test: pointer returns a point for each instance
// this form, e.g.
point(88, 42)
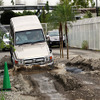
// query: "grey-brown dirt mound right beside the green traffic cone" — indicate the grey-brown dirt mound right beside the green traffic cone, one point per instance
point(20, 87)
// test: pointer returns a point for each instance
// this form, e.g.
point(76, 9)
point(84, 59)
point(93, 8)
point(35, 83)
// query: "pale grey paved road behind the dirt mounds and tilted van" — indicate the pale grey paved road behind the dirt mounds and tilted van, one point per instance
point(72, 53)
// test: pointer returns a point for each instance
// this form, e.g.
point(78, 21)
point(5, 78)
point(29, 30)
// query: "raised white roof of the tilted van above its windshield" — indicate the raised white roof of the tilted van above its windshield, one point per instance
point(23, 23)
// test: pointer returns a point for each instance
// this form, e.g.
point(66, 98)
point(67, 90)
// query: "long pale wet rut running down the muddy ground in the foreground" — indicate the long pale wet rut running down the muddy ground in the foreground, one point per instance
point(46, 86)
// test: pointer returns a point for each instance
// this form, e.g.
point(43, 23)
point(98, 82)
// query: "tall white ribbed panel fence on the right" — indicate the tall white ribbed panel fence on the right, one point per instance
point(86, 29)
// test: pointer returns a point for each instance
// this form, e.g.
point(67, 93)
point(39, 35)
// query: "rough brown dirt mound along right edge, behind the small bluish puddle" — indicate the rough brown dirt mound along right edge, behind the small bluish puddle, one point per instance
point(86, 64)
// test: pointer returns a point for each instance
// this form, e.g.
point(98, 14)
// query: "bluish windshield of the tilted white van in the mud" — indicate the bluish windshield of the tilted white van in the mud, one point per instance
point(30, 36)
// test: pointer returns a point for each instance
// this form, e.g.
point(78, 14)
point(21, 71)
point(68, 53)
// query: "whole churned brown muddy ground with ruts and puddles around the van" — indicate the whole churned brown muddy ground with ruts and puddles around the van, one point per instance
point(74, 79)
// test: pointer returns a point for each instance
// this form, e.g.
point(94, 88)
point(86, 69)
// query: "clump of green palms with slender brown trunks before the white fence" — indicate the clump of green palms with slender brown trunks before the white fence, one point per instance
point(62, 14)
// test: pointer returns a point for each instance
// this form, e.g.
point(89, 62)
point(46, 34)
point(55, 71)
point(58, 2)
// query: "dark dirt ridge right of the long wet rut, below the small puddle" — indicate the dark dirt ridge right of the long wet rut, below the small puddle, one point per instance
point(69, 82)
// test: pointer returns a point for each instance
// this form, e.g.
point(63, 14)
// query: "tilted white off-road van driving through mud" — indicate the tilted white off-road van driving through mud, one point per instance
point(28, 39)
